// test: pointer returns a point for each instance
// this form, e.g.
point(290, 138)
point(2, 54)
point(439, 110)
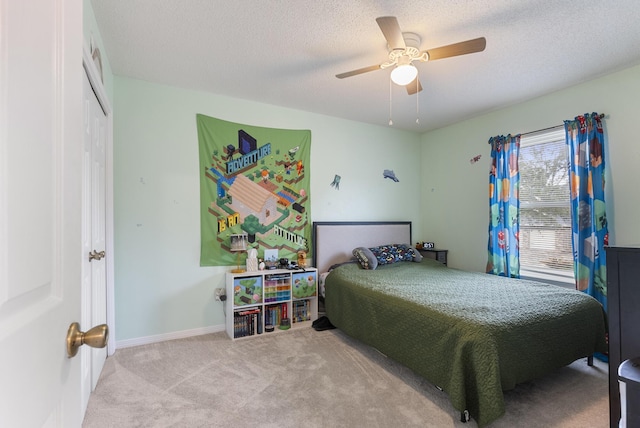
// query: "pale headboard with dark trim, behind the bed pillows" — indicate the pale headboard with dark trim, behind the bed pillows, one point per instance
point(333, 242)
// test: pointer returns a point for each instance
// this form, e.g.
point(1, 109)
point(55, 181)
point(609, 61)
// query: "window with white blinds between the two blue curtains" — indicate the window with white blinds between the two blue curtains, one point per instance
point(545, 208)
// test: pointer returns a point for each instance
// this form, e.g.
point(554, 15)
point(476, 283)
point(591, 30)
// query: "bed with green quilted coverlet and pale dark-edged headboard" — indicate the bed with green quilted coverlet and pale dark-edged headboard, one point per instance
point(471, 334)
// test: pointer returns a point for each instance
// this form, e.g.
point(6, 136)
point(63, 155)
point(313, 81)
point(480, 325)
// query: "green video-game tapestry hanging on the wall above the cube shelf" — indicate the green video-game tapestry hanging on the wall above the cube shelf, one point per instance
point(253, 180)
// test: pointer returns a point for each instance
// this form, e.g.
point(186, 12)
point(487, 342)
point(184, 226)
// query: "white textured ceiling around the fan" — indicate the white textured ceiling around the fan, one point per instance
point(287, 52)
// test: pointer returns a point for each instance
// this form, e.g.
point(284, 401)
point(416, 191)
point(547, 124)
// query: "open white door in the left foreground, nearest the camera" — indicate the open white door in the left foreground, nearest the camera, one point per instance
point(40, 210)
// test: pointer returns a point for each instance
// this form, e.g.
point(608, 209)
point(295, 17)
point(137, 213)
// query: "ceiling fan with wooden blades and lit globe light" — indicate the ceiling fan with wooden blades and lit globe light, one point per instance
point(404, 49)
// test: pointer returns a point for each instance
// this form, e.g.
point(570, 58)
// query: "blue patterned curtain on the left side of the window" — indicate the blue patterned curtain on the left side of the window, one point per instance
point(504, 207)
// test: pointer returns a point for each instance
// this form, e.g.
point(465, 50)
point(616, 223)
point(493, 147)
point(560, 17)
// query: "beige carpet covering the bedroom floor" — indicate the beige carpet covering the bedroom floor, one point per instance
point(305, 378)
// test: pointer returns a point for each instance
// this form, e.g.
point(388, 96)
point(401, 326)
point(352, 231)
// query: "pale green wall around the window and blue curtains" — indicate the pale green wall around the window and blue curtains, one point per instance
point(454, 192)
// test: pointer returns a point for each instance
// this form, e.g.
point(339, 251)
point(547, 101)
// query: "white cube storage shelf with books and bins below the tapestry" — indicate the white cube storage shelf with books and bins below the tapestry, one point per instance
point(270, 301)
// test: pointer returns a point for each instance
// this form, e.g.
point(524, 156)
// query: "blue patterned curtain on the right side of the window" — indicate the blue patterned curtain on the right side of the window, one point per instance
point(585, 139)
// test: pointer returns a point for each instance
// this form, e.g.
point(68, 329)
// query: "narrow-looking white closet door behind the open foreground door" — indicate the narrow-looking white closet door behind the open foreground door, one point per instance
point(94, 292)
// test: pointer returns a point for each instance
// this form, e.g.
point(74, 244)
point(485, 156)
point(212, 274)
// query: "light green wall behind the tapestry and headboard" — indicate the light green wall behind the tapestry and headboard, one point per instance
point(159, 286)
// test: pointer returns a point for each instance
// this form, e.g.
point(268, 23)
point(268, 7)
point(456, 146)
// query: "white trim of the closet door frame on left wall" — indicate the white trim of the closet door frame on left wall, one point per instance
point(98, 88)
